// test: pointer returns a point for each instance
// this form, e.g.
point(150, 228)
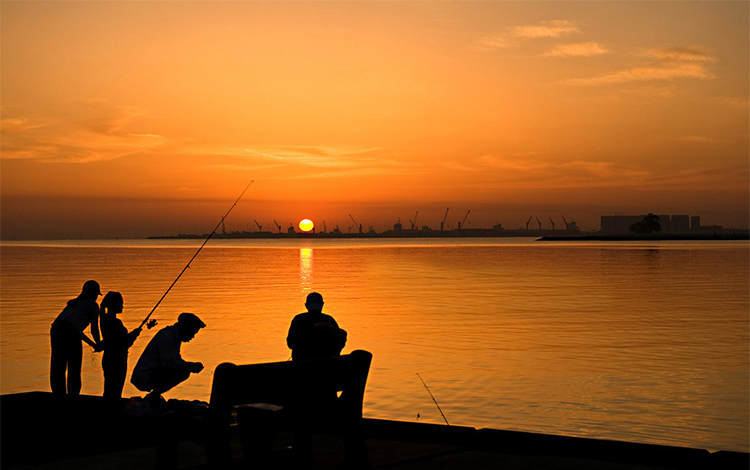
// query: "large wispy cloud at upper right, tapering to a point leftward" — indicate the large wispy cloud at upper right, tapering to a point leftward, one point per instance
point(670, 64)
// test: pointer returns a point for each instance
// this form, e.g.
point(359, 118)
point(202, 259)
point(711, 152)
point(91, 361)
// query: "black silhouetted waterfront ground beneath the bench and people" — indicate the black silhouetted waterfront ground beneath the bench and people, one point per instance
point(38, 433)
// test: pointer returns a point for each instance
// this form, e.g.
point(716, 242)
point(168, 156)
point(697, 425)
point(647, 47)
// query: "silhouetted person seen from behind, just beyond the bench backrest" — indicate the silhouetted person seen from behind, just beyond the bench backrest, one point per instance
point(313, 334)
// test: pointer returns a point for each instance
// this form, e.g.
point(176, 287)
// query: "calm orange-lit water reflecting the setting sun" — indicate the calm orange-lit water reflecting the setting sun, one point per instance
point(629, 341)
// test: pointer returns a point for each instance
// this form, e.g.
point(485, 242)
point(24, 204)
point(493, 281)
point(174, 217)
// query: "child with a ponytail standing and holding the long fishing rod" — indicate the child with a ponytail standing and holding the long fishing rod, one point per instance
point(117, 341)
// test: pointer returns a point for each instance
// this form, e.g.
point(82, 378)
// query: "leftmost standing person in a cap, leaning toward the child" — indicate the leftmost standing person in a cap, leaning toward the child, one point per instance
point(66, 335)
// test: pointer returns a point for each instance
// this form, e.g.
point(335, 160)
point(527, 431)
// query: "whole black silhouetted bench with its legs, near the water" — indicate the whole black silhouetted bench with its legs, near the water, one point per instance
point(322, 395)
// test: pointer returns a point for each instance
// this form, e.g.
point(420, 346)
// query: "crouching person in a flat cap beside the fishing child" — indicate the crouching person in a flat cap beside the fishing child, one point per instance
point(161, 367)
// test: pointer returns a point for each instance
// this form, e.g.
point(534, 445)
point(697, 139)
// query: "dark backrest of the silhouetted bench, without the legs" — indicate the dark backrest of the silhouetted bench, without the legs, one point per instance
point(339, 379)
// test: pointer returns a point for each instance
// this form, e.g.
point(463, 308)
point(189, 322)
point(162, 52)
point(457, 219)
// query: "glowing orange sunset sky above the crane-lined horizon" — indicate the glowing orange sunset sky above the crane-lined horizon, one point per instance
point(132, 118)
